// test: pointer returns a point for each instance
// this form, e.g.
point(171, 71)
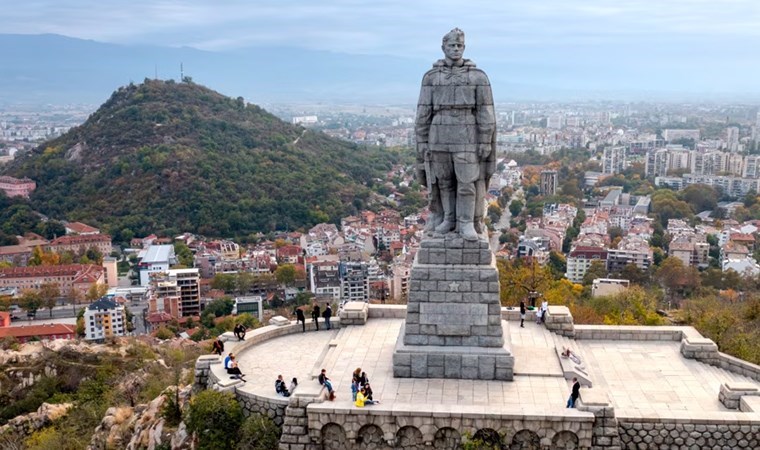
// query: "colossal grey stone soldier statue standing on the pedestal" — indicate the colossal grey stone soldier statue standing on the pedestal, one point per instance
point(456, 129)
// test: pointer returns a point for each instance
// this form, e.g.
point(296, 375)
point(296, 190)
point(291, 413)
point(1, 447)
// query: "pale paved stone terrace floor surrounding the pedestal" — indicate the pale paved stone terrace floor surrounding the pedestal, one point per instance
point(644, 376)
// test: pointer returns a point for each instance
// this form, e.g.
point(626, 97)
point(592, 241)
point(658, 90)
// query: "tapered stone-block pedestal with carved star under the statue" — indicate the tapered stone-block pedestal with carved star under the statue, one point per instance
point(453, 323)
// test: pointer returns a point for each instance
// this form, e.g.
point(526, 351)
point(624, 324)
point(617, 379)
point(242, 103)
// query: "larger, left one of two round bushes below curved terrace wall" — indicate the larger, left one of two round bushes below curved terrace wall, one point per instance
point(215, 418)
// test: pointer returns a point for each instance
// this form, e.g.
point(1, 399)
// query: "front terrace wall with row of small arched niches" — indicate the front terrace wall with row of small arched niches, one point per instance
point(343, 427)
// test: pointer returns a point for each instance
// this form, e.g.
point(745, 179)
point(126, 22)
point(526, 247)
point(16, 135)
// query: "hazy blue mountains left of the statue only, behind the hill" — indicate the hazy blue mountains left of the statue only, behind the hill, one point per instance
point(57, 69)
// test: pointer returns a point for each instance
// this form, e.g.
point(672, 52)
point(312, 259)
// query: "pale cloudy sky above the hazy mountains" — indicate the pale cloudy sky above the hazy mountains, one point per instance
point(679, 44)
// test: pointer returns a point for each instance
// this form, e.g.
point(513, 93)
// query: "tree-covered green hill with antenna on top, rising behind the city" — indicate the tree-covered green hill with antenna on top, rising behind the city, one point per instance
point(170, 157)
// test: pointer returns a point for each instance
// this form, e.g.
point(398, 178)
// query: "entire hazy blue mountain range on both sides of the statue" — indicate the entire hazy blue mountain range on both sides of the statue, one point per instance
point(57, 69)
